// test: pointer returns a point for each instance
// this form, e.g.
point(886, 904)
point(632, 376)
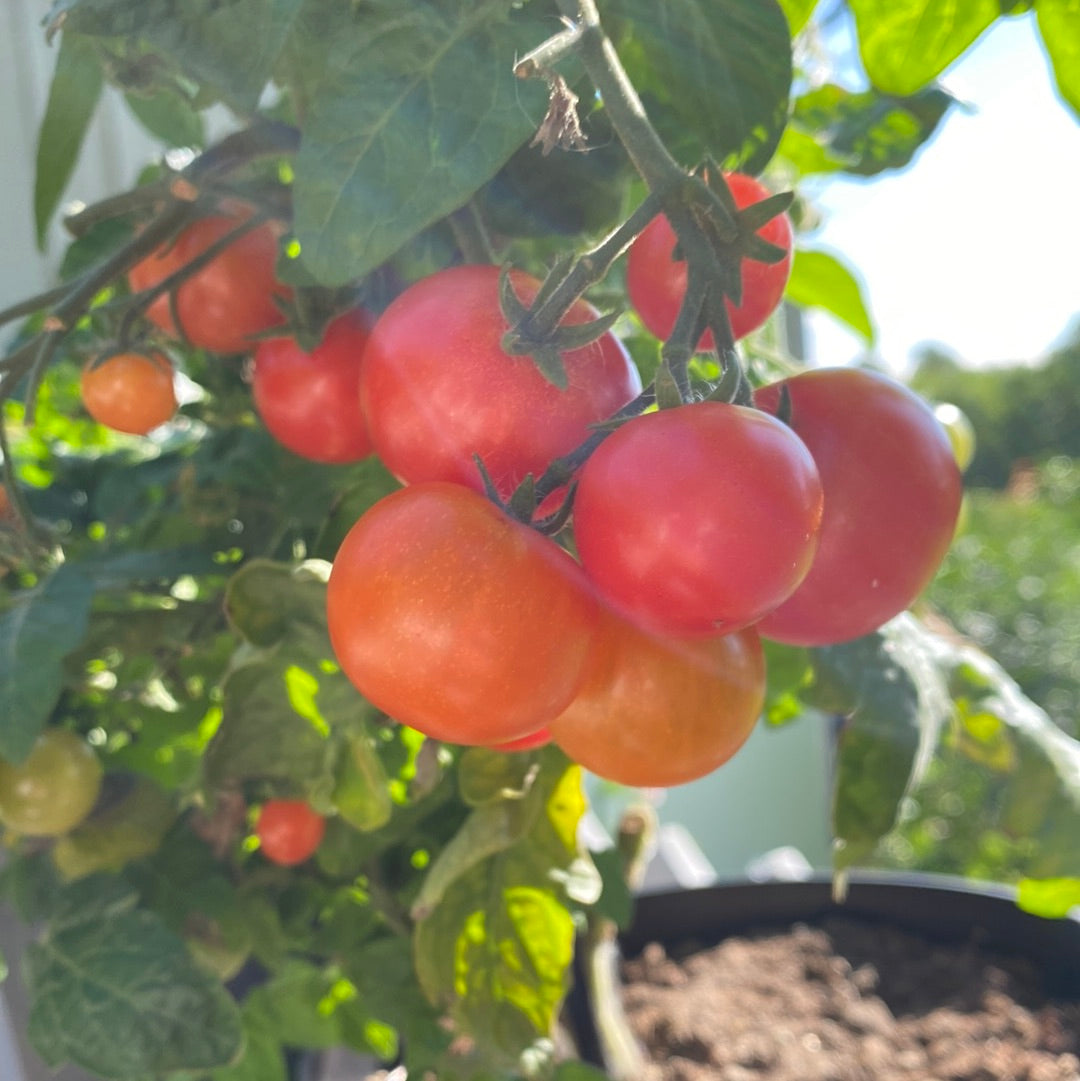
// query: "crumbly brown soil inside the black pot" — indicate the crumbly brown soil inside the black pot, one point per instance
point(847, 1002)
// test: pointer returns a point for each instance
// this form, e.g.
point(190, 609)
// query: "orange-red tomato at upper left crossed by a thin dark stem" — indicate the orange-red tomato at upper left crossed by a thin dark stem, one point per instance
point(231, 299)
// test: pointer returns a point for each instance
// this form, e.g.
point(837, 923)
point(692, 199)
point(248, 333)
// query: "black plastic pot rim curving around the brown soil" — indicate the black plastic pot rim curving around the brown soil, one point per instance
point(940, 909)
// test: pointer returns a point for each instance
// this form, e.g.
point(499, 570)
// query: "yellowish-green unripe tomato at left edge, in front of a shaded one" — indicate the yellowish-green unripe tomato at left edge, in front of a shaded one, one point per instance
point(55, 790)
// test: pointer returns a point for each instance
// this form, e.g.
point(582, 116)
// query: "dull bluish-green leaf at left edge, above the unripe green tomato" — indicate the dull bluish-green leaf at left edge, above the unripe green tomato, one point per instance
point(41, 629)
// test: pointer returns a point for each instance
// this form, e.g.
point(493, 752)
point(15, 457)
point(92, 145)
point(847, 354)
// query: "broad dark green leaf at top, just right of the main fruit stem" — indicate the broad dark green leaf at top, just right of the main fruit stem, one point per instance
point(715, 75)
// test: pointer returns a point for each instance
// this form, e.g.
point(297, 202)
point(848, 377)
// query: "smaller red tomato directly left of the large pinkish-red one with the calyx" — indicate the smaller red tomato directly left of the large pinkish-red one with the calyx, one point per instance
point(311, 402)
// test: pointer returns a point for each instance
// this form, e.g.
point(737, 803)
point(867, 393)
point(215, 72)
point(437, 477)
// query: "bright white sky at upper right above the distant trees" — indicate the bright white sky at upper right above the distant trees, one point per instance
point(976, 245)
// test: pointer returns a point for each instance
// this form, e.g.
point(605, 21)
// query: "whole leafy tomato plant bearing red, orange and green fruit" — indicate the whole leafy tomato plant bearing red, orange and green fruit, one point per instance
point(230, 623)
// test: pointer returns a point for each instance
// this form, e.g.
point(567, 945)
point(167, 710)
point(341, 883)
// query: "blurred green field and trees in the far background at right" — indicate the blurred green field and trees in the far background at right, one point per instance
point(1011, 584)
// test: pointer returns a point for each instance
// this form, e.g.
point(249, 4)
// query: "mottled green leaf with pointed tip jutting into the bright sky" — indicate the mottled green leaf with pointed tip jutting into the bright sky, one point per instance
point(864, 134)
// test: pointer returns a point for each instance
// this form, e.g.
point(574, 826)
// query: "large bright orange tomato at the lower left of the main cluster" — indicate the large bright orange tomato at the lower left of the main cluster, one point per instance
point(456, 620)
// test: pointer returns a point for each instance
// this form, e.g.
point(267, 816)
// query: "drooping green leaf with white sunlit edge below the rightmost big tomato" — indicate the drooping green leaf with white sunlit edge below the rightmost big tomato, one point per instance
point(895, 701)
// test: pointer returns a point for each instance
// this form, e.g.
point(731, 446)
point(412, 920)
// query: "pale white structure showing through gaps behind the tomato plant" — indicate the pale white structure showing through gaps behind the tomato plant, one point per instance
point(774, 794)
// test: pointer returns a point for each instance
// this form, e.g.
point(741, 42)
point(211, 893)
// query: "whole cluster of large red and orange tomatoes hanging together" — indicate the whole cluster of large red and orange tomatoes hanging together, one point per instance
point(811, 518)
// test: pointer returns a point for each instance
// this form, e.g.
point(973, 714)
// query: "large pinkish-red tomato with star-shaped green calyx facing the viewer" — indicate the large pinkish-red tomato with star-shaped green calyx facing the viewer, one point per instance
point(436, 388)
